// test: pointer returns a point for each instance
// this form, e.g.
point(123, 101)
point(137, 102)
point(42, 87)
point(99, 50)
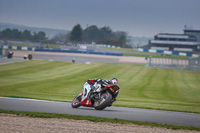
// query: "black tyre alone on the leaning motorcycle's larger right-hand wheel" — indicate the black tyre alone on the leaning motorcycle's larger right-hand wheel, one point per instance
point(105, 103)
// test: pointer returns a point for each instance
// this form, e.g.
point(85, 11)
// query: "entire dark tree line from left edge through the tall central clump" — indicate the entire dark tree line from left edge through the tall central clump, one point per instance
point(91, 34)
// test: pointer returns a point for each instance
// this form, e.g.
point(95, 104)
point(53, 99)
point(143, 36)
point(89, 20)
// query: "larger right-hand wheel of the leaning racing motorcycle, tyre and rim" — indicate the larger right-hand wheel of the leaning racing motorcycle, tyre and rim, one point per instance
point(103, 102)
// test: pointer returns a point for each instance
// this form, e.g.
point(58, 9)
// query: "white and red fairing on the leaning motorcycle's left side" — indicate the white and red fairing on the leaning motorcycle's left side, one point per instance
point(85, 94)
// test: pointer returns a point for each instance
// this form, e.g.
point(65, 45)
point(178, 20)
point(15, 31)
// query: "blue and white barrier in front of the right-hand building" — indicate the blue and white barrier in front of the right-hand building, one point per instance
point(168, 52)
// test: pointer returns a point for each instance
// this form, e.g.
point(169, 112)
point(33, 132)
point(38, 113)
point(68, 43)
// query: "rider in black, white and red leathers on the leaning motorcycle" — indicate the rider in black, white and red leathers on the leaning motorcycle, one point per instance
point(98, 84)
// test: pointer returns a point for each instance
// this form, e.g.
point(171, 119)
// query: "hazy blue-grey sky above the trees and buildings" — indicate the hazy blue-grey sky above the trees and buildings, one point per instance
point(136, 17)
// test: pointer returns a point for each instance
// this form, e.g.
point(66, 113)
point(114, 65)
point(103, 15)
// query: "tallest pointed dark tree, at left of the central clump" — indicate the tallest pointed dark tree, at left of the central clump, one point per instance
point(76, 34)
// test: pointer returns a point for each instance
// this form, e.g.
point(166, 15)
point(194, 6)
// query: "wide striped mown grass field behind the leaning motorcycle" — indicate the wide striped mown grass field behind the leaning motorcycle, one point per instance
point(141, 87)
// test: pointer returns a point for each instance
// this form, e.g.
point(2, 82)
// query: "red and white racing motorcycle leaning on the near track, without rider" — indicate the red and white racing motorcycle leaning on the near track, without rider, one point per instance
point(98, 100)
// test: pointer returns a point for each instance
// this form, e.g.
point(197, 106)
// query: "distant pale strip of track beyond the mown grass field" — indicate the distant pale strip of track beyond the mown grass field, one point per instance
point(80, 58)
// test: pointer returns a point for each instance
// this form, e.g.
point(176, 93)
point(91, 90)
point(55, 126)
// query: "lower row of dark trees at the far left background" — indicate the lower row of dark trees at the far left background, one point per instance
point(22, 35)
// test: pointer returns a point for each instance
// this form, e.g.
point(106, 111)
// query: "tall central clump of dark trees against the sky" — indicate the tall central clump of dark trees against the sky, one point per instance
point(102, 35)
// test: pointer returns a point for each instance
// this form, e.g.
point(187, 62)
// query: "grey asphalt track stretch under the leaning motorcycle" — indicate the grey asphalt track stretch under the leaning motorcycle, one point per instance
point(133, 114)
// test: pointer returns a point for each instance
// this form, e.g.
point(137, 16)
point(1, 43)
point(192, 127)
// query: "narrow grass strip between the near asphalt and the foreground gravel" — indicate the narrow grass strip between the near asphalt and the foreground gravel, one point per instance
point(96, 119)
